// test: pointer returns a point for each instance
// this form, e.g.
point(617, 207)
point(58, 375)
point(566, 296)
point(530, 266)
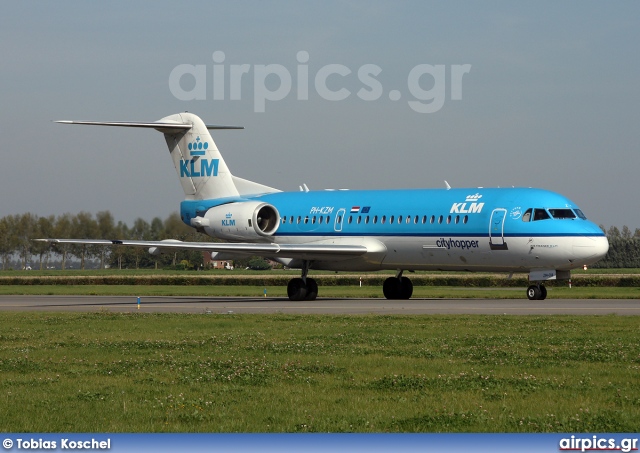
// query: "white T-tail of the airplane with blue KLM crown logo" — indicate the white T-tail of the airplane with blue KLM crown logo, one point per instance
point(201, 169)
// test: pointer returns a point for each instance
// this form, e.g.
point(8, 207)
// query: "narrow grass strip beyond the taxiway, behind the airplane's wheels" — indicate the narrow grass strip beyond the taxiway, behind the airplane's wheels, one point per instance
point(325, 291)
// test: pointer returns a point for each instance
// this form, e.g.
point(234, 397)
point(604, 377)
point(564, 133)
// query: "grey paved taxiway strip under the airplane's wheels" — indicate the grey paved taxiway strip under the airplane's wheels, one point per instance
point(321, 305)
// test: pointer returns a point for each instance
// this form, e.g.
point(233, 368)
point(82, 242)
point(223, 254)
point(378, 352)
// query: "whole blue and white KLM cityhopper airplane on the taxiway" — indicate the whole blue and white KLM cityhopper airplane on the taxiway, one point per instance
point(511, 230)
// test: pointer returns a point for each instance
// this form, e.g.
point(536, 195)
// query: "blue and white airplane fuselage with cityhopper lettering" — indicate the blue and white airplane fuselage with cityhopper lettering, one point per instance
point(475, 229)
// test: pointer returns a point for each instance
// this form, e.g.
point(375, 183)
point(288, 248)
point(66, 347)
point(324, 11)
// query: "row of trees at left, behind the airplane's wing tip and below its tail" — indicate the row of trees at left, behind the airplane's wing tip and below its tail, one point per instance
point(18, 231)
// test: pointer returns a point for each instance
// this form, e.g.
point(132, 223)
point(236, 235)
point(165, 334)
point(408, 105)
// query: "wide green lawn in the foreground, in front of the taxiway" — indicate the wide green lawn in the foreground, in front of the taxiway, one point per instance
point(108, 372)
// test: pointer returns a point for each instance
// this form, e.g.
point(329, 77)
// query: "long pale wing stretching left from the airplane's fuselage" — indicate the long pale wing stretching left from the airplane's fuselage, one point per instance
point(315, 251)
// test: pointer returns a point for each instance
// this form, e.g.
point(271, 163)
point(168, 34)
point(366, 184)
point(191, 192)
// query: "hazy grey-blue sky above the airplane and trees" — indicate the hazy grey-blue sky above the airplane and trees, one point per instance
point(398, 95)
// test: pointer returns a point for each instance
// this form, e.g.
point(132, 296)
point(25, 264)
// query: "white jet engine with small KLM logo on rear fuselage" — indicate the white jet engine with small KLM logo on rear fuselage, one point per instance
point(247, 220)
